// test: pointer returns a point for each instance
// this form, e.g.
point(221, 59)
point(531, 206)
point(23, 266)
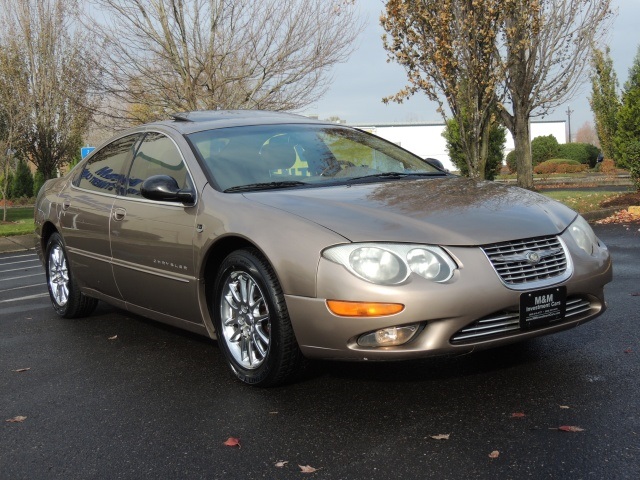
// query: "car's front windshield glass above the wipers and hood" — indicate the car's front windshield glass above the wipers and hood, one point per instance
point(286, 156)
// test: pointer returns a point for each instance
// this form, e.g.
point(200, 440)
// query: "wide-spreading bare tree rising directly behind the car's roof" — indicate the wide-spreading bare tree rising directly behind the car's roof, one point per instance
point(173, 55)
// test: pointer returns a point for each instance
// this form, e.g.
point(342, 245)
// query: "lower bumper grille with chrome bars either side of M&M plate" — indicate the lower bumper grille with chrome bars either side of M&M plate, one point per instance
point(504, 323)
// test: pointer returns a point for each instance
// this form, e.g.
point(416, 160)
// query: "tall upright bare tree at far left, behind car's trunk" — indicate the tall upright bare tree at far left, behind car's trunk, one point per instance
point(55, 101)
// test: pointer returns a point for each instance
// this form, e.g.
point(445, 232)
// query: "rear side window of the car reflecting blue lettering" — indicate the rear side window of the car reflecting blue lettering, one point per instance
point(103, 172)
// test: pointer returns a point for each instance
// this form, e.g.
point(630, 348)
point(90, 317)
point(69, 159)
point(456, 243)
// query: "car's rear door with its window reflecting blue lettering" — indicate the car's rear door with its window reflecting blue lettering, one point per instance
point(86, 213)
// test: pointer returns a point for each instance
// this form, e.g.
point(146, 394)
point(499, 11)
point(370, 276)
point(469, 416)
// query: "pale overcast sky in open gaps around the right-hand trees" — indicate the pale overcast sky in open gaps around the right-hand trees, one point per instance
point(359, 85)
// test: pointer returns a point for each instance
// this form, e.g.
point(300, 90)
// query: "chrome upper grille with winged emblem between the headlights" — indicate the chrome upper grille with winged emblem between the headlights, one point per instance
point(541, 260)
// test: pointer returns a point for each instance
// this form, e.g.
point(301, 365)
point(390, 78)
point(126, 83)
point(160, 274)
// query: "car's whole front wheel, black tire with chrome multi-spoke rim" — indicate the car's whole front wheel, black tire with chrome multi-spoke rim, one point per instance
point(252, 322)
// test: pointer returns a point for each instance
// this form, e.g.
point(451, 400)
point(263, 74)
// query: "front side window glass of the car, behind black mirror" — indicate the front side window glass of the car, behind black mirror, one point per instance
point(157, 155)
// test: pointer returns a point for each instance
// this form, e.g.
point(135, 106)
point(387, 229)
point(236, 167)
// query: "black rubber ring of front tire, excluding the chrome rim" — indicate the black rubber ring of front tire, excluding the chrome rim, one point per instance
point(246, 261)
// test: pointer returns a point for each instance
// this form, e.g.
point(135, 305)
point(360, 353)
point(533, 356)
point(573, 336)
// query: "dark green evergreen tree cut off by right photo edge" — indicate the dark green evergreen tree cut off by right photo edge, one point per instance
point(627, 140)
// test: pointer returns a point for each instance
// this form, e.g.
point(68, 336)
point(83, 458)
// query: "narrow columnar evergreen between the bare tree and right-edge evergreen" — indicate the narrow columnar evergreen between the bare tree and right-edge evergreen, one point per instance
point(604, 100)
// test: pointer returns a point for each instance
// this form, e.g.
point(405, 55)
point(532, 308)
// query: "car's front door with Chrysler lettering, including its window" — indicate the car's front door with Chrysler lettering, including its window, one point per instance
point(152, 241)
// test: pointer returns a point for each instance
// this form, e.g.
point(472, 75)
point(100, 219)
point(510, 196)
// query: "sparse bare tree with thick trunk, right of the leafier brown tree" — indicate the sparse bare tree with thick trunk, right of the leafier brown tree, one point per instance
point(547, 47)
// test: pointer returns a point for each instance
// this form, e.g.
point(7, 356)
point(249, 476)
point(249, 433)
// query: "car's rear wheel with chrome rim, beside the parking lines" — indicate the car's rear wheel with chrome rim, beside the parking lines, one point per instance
point(67, 299)
